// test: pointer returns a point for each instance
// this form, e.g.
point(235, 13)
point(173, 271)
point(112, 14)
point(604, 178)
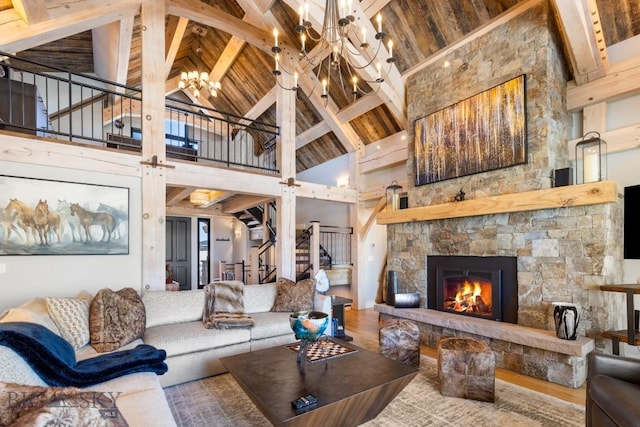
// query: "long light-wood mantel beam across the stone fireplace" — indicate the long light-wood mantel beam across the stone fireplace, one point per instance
point(573, 195)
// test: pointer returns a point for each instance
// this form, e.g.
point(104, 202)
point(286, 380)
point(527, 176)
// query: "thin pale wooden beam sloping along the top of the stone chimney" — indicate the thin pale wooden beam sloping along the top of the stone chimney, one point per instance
point(500, 20)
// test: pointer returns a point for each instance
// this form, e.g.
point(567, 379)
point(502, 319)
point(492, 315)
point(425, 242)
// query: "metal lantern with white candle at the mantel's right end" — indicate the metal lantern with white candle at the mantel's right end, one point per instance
point(591, 159)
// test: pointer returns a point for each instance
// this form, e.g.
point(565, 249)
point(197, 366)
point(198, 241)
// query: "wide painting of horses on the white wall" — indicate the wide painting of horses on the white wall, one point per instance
point(49, 217)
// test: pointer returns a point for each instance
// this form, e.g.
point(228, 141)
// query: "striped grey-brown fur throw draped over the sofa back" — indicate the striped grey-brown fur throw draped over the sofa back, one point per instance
point(224, 306)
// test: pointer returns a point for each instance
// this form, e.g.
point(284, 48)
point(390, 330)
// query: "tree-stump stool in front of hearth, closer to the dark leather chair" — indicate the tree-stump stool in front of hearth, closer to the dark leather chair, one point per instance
point(466, 369)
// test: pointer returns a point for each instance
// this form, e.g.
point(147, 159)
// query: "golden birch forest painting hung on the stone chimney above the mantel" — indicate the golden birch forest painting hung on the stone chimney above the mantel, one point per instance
point(485, 132)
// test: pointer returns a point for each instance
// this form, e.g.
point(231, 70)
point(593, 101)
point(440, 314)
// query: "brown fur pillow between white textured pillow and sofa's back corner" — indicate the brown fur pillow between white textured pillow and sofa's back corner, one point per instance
point(116, 319)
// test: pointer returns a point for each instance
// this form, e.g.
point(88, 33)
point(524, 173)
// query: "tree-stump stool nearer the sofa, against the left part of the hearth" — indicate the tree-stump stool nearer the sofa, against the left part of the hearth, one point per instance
point(400, 340)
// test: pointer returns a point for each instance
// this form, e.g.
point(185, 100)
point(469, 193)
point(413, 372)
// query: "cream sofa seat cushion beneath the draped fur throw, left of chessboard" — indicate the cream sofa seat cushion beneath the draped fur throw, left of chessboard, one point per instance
point(189, 337)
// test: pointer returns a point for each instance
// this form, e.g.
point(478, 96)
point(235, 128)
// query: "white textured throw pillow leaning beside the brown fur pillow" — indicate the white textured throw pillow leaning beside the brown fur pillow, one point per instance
point(71, 316)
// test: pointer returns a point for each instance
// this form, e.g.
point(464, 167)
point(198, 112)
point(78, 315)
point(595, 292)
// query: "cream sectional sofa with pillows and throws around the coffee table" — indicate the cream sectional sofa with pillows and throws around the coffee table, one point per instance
point(173, 323)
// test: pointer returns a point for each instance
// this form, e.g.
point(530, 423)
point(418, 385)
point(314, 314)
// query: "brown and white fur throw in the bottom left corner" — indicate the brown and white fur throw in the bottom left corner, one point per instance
point(22, 405)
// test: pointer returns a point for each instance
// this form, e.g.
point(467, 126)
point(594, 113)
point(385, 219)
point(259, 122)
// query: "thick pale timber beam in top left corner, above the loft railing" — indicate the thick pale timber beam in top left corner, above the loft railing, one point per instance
point(17, 36)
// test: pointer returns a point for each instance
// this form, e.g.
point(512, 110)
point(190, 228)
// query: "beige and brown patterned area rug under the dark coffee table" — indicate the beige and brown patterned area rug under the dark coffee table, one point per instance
point(220, 401)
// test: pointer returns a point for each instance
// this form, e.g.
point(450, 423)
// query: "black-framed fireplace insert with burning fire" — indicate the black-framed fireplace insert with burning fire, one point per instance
point(484, 287)
